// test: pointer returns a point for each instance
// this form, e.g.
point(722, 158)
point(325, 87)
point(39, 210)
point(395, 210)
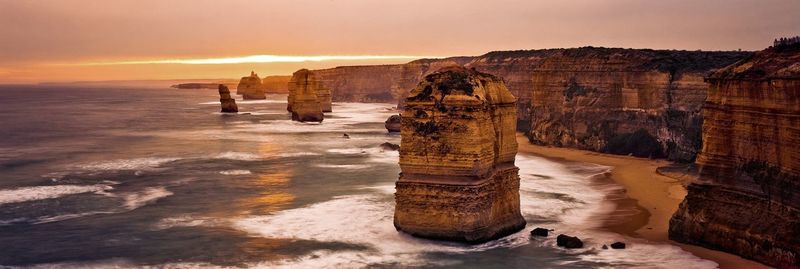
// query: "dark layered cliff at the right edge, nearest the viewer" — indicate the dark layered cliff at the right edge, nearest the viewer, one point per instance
point(746, 200)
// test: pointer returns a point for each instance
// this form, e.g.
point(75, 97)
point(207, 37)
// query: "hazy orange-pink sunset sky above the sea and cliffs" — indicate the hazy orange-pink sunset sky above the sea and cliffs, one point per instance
point(96, 40)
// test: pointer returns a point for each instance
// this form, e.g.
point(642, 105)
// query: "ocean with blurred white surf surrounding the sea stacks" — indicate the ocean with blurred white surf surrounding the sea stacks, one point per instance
point(158, 178)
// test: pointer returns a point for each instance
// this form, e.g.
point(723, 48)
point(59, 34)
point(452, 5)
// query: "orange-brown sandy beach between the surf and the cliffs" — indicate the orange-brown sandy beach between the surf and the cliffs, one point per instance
point(647, 203)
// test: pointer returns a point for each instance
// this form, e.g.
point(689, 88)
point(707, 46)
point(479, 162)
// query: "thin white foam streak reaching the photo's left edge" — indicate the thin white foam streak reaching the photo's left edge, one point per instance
point(26, 194)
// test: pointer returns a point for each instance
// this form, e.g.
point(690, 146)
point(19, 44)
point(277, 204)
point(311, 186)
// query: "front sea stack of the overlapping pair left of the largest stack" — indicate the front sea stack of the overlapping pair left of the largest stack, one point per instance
point(303, 101)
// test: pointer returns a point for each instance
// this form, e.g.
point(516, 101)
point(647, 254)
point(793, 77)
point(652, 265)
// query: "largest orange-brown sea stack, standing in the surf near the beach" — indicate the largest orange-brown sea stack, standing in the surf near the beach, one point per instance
point(458, 180)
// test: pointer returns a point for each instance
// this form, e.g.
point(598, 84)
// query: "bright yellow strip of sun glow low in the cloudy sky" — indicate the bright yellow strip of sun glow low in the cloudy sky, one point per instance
point(258, 59)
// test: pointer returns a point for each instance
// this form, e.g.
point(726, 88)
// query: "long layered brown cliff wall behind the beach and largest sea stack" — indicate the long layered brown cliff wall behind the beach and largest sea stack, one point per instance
point(583, 98)
